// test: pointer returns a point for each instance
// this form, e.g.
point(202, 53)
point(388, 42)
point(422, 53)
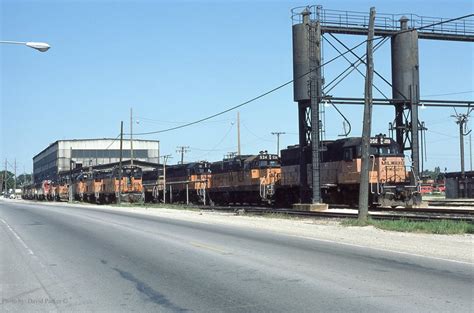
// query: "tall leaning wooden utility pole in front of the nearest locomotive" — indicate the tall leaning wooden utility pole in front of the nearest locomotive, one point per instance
point(364, 175)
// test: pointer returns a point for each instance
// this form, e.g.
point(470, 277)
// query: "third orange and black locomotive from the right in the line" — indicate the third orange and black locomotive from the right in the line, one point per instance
point(188, 183)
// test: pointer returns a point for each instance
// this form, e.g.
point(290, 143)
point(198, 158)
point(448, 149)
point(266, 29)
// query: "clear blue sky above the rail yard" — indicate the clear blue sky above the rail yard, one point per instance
point(178, 61)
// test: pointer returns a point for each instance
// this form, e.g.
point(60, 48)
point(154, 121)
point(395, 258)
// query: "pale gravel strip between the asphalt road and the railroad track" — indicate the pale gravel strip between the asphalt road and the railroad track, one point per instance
point(457, 248)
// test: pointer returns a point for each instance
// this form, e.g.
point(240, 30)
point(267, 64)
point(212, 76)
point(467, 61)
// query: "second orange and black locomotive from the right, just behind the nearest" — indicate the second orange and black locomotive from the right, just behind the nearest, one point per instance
point(245, 179)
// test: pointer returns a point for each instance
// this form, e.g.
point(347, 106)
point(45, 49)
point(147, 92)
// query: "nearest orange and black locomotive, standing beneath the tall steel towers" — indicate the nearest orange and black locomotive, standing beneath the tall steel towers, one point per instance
point(391, 182)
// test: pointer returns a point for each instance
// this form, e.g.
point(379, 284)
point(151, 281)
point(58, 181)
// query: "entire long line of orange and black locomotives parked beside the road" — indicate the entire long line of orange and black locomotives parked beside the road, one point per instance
point(252, 179)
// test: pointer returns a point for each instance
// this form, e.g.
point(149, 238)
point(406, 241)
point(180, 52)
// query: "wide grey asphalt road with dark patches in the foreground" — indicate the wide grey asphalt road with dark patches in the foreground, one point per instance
point(70, 259)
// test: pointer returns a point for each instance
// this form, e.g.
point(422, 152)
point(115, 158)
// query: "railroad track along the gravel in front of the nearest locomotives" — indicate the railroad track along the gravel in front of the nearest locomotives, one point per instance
point(459, 215)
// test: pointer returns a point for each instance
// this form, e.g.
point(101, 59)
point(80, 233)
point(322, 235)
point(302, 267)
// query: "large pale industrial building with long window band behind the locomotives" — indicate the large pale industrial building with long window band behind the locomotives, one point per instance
point(64, 155)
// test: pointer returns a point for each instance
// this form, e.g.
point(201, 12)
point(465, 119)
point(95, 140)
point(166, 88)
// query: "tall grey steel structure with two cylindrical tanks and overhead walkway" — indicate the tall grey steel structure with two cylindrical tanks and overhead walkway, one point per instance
point(404, 31)
